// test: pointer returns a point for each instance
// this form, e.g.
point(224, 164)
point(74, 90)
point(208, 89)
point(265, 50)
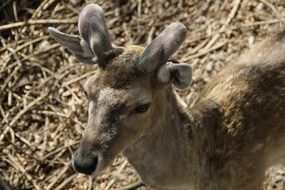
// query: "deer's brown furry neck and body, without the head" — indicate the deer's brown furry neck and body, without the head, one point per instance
point(230, 137)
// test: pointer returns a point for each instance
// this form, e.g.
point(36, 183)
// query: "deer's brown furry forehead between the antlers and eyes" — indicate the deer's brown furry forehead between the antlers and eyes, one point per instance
point(121, 74)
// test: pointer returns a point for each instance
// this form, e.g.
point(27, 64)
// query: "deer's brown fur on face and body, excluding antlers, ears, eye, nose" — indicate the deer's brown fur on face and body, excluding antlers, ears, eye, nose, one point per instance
point(229, 138)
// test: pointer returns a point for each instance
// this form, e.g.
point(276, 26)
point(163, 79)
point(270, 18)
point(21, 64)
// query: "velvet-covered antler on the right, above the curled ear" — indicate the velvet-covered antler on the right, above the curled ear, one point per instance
point(162, 47)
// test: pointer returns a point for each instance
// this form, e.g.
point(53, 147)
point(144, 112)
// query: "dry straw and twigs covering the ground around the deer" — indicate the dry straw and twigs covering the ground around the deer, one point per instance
point(43, 109)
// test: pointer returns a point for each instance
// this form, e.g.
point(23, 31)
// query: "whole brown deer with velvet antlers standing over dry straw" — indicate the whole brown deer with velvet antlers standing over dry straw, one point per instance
point(225, 141)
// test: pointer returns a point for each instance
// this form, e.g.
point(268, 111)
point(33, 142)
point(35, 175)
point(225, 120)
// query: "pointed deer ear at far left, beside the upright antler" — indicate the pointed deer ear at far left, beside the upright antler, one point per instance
point(77, 46)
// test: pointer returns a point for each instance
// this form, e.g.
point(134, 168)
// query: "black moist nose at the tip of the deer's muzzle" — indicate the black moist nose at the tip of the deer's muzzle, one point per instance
point(85, 165)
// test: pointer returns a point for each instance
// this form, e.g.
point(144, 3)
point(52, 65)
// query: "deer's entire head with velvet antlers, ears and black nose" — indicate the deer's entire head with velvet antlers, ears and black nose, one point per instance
point(125, 96)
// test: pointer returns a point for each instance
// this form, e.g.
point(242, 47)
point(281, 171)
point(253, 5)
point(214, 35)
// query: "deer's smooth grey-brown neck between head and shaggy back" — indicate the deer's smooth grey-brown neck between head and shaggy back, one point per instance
point(170, 153)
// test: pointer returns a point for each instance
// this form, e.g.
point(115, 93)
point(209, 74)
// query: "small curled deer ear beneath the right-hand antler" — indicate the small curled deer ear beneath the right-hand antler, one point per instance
point(180, 74)
